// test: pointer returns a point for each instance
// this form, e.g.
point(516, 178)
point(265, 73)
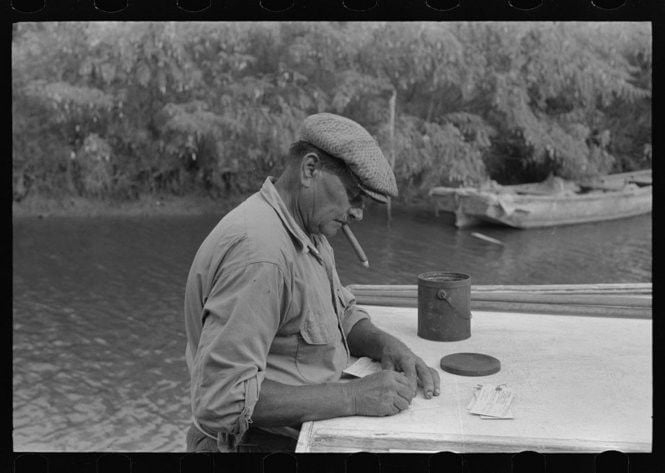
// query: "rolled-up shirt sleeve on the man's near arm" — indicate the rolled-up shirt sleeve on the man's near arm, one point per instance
point(240, 319)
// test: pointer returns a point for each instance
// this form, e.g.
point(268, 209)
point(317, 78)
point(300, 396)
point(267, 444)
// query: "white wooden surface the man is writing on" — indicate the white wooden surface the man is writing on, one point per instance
point(582, 384)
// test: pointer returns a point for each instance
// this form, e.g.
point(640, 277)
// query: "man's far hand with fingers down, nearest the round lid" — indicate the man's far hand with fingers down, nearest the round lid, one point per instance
point(398, 357)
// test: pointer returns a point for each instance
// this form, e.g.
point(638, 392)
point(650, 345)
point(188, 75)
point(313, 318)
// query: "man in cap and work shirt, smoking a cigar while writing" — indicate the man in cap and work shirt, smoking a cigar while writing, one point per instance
point(270, 326)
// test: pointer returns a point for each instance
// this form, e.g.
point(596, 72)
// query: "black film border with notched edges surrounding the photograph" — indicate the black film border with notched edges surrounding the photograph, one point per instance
point(341, 10)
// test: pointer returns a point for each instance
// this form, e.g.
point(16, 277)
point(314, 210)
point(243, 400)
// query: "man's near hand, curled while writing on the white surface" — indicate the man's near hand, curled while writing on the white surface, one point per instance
point(380, 394)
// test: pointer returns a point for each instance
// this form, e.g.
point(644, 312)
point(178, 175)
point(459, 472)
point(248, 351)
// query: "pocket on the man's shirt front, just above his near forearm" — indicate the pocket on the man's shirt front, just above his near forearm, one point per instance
point(315, 354)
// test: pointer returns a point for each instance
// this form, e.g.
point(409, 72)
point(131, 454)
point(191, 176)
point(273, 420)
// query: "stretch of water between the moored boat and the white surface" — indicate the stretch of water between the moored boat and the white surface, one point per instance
point(615, 251)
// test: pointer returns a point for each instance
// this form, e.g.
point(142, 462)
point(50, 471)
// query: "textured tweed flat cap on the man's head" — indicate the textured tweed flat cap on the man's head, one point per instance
point(345, 139)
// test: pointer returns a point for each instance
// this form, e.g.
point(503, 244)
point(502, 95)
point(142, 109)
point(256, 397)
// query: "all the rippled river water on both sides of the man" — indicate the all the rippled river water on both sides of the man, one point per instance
point(98, 335)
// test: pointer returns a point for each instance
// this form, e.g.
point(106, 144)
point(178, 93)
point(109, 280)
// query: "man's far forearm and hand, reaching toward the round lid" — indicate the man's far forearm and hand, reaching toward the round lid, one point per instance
point(365, 339)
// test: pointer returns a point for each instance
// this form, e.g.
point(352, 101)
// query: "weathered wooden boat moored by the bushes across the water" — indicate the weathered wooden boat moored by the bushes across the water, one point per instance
point(548, 203)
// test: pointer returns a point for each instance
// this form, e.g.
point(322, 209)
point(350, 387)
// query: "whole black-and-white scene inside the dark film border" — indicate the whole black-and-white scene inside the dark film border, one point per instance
point(332, 236)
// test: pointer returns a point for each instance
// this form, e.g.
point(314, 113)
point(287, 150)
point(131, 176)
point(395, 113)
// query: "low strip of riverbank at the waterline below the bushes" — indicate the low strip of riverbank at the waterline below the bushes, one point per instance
point(43, 207)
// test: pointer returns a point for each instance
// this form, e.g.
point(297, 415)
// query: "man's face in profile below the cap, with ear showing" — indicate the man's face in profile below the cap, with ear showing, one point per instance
point(335, 199)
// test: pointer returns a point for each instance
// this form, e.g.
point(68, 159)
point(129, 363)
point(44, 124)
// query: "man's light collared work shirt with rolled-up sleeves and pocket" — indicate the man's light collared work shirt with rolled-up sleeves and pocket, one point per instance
point(262, 300)
